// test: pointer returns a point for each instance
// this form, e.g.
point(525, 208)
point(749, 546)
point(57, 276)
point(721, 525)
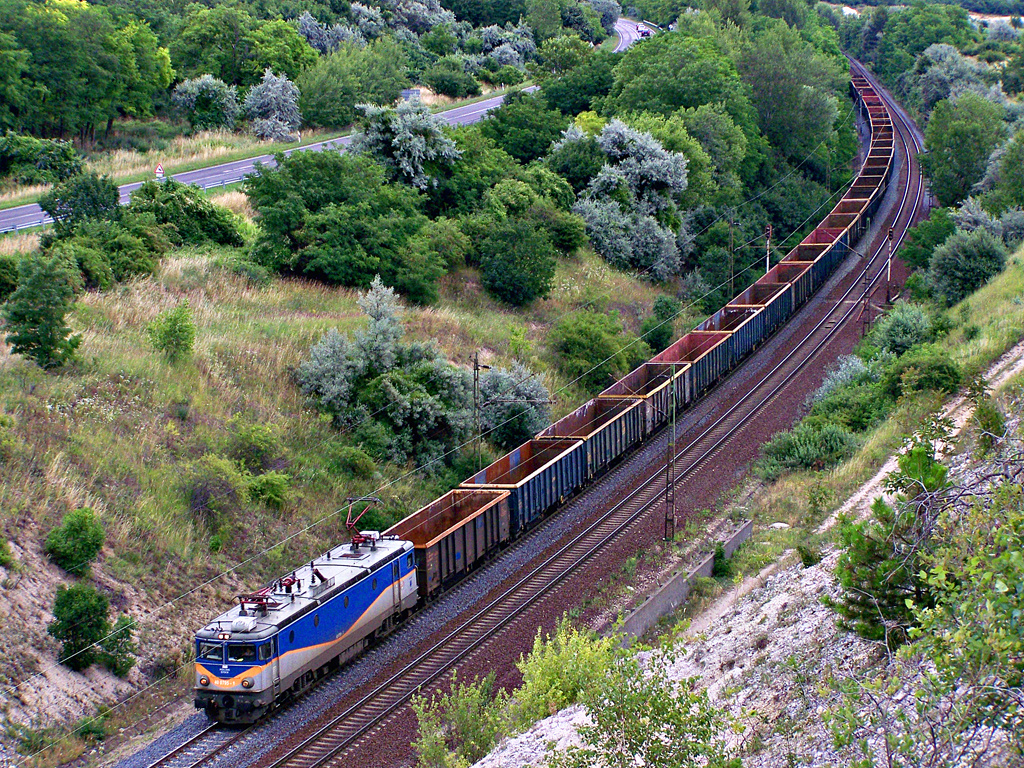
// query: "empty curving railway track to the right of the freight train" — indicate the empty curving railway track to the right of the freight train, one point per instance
point(331, 743)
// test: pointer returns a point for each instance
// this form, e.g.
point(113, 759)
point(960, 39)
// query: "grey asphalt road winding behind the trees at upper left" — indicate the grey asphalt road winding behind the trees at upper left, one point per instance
point(229, 174)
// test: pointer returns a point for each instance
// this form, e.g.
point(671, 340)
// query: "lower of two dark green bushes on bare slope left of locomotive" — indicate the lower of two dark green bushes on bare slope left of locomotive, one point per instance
point(80, 624)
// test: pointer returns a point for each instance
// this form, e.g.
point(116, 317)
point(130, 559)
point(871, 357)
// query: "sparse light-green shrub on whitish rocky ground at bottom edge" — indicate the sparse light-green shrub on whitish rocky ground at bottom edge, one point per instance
point(641, 715)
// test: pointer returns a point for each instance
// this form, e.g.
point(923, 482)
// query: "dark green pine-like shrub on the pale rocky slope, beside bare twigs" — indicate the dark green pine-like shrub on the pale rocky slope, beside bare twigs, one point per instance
point(880, 571)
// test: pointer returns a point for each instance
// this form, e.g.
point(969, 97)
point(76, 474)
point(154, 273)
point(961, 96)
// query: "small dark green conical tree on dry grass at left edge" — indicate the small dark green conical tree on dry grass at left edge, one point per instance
point(34, 316)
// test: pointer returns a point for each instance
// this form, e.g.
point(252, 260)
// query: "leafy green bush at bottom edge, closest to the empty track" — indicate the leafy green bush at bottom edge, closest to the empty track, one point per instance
point(457, 729)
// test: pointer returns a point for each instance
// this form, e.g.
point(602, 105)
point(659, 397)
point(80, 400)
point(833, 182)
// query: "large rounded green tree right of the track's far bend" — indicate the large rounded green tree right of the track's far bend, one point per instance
point(960, 138)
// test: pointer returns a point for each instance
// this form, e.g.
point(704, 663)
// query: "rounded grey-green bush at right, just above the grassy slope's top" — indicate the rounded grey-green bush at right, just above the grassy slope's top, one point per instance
point(965, 263)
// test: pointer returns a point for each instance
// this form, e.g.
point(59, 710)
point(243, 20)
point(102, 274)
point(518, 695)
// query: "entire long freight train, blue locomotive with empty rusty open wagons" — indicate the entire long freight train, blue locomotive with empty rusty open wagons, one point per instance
point(280, 641)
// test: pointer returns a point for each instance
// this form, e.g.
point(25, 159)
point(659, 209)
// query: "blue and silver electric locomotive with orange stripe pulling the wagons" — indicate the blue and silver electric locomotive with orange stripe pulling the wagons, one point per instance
point(278, 642)
